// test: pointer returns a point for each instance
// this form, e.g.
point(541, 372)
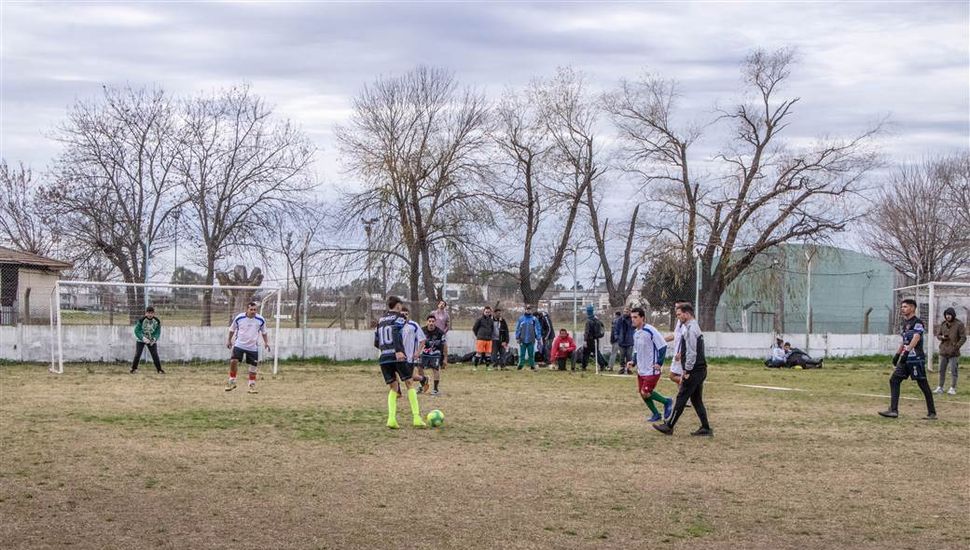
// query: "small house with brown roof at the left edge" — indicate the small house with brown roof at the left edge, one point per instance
point(26, 284)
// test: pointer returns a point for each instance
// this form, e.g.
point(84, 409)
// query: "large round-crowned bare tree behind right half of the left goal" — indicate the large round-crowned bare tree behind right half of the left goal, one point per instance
point(238, 162)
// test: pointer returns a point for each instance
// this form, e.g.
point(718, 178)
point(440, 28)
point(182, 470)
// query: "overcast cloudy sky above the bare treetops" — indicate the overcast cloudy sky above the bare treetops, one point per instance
point(859, 61)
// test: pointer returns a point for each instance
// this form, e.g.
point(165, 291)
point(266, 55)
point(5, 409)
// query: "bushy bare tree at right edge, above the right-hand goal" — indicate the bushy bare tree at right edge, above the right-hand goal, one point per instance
point(917, 223)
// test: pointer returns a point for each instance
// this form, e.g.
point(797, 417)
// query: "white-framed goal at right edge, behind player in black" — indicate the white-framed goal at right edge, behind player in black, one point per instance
point(932, 300)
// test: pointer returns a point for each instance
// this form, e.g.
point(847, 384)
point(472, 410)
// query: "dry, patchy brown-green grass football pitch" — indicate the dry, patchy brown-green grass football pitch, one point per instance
point(96, 458)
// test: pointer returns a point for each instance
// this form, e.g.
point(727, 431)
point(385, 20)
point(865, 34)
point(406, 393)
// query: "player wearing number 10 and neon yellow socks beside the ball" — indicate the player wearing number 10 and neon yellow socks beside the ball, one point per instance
point(389, 339)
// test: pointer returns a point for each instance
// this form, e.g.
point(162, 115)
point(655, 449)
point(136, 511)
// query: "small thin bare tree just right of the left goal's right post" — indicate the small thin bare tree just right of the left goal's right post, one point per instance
point(298, 236)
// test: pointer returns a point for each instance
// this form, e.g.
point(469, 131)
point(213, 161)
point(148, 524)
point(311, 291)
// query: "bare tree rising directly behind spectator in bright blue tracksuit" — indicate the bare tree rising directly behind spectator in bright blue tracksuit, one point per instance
point(544, 138)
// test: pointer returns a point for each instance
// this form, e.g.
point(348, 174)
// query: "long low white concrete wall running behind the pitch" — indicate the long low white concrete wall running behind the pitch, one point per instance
point(106, 343)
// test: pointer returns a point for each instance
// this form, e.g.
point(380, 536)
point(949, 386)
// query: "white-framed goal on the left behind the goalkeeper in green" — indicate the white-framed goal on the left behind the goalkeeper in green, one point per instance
point(93, 322)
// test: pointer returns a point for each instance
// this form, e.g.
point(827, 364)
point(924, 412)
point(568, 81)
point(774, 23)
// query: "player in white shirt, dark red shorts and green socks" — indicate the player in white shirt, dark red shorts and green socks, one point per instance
point(649, 349)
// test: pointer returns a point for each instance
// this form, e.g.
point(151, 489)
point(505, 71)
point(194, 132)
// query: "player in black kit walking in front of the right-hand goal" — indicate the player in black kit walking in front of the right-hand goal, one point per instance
point(910, 362)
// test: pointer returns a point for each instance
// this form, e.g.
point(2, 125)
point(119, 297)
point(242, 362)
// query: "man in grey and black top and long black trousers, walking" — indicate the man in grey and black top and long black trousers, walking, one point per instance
point(694, 363)
